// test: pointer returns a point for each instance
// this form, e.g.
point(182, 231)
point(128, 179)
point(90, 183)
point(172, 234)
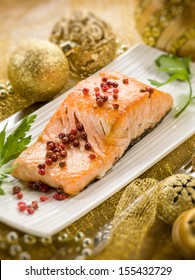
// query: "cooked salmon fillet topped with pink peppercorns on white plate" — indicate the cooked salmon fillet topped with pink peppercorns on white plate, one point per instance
point(91, 130)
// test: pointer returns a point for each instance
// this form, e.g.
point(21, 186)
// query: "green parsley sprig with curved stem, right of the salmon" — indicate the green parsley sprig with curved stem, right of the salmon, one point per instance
point(178, 69)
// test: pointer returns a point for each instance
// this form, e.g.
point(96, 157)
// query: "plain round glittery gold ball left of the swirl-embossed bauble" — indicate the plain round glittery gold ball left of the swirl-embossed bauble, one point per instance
point(38, 70)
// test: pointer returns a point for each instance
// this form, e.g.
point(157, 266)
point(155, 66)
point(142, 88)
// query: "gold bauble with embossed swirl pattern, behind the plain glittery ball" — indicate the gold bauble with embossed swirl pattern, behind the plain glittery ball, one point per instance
point(89, 42)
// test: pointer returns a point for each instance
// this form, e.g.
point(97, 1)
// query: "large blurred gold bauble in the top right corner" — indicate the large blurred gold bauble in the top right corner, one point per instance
point(167, 25)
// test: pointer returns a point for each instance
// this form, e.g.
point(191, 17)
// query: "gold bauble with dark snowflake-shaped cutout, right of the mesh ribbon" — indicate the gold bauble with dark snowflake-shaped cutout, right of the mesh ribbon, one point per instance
point(176, 195)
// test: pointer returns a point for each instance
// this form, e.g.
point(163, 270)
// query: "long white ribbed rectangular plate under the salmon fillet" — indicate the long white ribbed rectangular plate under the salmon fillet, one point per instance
point(137, 62)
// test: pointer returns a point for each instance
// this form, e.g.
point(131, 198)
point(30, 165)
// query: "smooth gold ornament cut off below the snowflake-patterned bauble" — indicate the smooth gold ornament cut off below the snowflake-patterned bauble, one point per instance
point(183, 234)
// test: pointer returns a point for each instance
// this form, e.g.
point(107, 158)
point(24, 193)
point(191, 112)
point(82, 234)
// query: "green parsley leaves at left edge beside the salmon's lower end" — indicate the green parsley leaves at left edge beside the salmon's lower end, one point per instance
point(12, 146)
